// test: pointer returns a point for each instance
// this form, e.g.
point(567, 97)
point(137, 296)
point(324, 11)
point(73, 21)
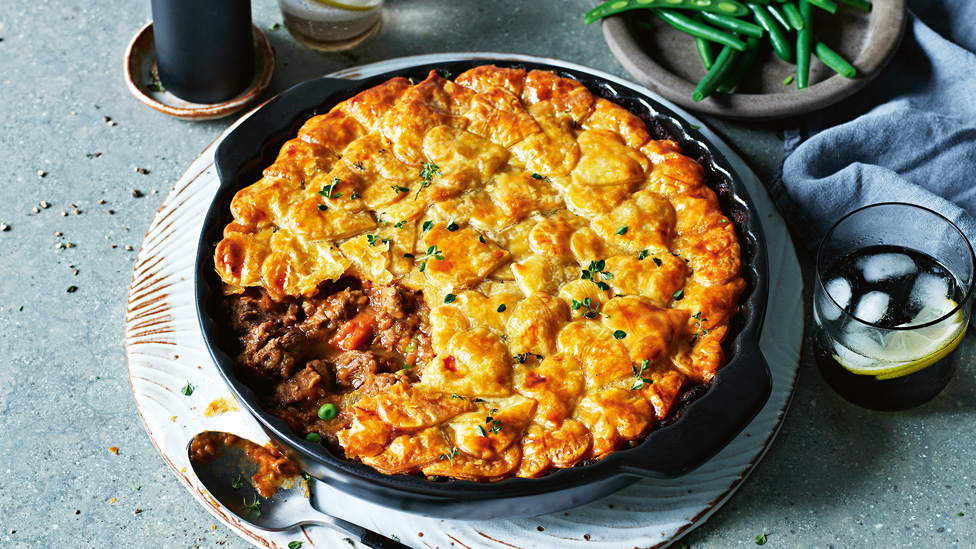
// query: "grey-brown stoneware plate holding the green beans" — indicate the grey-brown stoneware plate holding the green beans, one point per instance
point(666, 61)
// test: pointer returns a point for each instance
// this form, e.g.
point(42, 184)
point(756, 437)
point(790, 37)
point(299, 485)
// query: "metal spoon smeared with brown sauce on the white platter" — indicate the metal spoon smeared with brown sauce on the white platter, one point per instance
point(289, 508)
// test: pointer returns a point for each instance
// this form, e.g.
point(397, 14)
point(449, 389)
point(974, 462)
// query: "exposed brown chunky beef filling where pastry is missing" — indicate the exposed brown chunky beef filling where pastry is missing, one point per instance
point(351, 340)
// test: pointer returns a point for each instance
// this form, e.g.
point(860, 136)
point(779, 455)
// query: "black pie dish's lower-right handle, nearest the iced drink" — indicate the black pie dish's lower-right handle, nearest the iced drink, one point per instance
point(740, 391)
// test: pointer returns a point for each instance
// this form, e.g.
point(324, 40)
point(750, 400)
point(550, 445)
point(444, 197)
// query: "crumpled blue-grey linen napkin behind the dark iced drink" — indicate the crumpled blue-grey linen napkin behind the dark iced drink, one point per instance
point(909, 136)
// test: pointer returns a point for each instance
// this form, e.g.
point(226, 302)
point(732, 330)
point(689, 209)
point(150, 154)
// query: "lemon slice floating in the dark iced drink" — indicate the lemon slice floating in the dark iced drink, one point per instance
point(908, 351)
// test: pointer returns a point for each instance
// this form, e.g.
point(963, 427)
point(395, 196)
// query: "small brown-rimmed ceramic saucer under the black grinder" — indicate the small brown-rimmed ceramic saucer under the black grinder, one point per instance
point(140, 62)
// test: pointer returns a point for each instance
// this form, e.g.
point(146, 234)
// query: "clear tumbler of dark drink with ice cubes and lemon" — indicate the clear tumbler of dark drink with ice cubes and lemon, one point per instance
point(891, 303)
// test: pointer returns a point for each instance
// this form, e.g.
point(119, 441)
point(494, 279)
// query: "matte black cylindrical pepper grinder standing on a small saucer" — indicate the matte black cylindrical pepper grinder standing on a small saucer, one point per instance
point(204, 48)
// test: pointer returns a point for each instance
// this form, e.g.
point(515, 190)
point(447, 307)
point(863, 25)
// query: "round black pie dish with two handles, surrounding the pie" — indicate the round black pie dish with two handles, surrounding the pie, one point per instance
point(702, 424)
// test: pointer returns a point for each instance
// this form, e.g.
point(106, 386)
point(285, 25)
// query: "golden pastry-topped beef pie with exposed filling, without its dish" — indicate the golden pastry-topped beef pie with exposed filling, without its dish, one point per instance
point(477, 279)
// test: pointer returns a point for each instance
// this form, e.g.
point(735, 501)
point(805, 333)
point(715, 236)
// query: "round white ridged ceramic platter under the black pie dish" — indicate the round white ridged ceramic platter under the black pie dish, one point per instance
point(165, 350)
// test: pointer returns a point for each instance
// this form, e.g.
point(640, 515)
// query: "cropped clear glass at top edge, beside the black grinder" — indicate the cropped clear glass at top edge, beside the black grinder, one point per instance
point(331, 25)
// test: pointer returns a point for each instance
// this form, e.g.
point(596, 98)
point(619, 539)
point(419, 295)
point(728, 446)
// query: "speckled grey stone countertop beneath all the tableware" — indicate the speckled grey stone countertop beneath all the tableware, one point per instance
point(71, 137)
